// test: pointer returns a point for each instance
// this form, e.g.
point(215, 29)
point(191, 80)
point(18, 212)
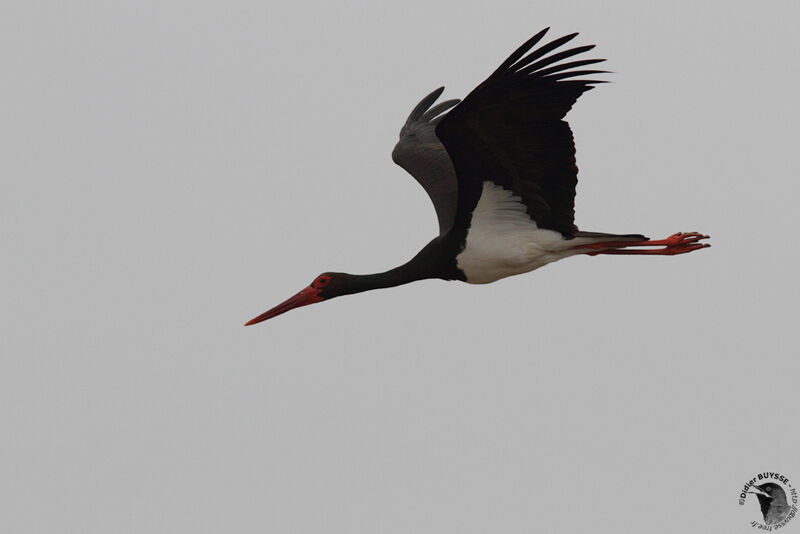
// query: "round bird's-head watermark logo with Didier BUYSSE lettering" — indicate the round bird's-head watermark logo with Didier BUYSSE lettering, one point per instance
point(776, 497)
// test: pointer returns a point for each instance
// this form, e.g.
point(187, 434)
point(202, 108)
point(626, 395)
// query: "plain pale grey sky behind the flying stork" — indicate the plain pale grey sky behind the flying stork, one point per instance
point(171, 169)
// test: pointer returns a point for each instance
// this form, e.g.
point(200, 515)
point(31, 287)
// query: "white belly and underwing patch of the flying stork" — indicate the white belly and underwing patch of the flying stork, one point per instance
point(503, 241)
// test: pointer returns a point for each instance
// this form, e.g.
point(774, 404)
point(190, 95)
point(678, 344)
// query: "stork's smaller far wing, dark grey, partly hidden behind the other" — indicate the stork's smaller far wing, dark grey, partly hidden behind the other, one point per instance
point(421, 153)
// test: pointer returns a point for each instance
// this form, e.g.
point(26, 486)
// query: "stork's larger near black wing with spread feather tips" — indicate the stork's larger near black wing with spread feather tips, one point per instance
point(509, 131)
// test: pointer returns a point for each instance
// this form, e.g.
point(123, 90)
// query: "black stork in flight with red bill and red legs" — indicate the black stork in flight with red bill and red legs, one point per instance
point(500, 169)
